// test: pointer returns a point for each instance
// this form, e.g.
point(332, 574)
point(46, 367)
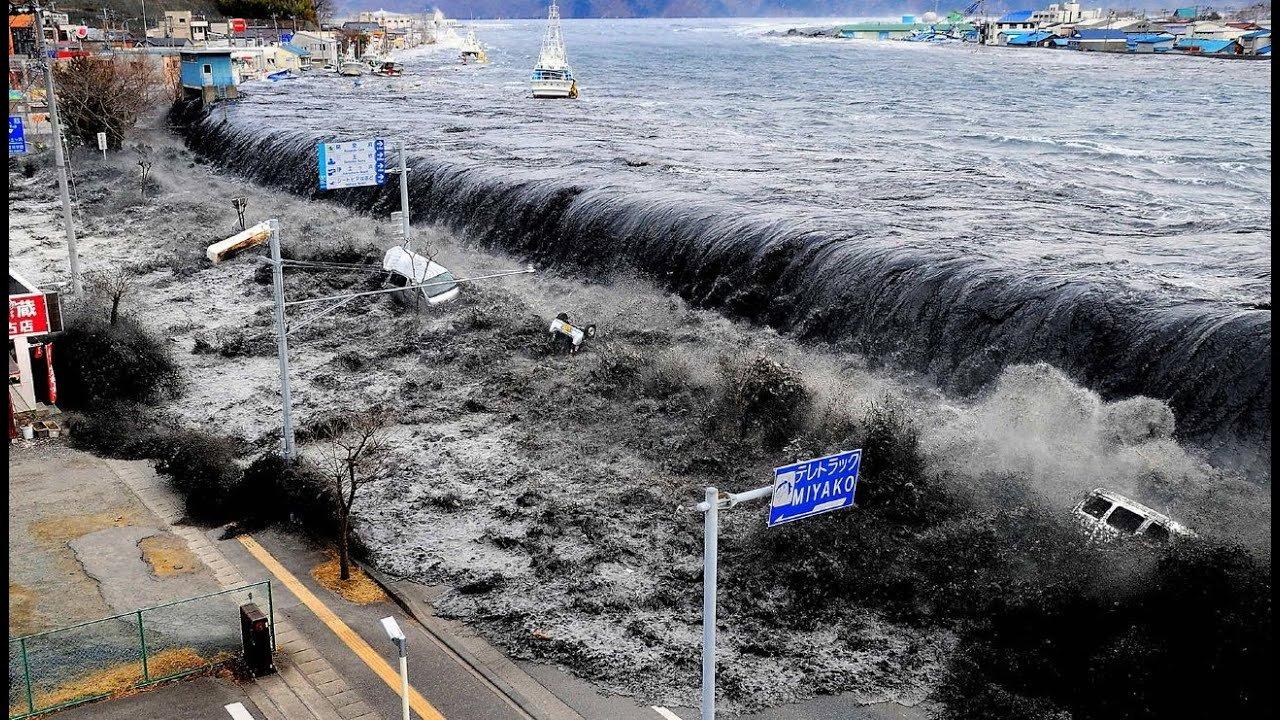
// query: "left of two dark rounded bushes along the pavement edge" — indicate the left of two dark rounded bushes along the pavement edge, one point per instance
point(203, 468)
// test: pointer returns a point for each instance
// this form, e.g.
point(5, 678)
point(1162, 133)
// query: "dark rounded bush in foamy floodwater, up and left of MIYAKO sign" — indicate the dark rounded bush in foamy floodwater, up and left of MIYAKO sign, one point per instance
point(764, 400)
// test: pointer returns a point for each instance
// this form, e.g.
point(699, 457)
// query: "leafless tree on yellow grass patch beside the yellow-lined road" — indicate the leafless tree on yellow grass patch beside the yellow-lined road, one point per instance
point(358, 455)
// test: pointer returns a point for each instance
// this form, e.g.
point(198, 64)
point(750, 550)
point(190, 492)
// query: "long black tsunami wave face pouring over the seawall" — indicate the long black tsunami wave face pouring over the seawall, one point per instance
point(957, 320)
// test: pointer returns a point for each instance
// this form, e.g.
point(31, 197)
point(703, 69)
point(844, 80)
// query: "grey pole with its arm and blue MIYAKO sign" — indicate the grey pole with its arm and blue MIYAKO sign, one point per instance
point(801, 490)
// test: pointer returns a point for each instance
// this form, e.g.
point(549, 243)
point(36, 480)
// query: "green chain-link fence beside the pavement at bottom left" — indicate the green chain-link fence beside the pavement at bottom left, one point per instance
point(102, 658)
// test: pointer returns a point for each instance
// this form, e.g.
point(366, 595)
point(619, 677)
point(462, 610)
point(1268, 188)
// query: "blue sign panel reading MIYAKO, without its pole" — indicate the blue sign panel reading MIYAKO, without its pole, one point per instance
point(813, 487)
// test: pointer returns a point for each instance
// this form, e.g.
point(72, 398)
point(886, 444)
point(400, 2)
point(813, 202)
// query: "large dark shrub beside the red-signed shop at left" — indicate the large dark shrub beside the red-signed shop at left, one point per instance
point(99, 363)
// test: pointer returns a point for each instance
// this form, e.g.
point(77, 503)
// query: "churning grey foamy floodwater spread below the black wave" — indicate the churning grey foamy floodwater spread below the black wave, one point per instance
point(554, 491)
